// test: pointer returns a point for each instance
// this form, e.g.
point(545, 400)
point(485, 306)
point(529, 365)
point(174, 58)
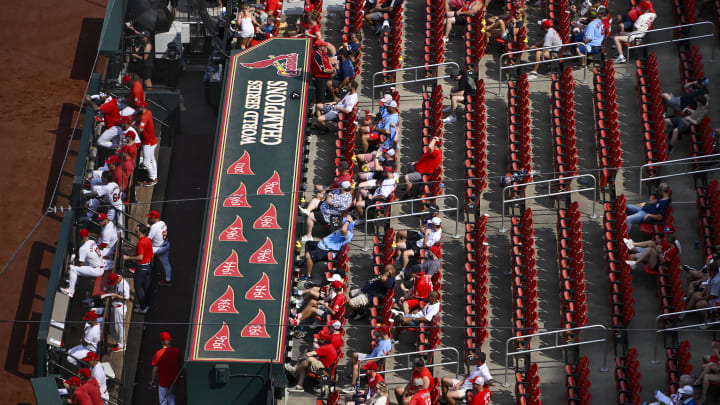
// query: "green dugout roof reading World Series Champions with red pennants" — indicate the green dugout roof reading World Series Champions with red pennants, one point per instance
point(243, 286)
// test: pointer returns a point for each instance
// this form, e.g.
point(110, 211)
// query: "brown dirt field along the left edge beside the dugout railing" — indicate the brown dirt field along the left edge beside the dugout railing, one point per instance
point(46, 58)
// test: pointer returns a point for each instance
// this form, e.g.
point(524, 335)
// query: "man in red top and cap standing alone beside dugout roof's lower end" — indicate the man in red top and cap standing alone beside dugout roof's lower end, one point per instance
point(166, 369)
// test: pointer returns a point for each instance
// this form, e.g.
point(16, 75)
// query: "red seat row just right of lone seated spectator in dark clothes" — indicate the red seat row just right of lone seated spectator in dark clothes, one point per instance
point(475, 146)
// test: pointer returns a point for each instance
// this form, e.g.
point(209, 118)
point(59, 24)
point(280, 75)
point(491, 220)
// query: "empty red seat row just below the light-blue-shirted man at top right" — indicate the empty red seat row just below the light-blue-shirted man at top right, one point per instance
point(607, 128)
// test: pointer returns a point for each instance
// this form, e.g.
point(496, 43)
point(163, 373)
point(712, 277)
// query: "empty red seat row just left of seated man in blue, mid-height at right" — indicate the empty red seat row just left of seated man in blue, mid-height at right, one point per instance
point(619, 278)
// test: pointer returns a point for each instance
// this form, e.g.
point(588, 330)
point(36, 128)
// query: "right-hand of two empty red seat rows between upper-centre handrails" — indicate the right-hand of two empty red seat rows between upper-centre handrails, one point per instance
point(562, 93)
